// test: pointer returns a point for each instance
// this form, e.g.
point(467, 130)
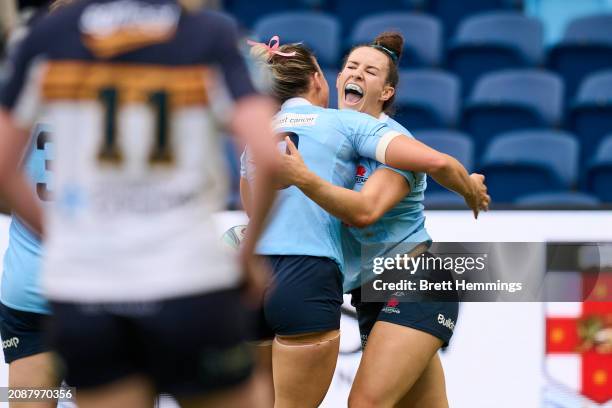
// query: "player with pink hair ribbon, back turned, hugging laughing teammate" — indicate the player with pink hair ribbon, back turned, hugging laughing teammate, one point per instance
point(302, 241)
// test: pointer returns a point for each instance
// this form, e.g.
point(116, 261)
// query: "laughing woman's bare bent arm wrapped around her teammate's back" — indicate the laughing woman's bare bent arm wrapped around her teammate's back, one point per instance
point(357, 208)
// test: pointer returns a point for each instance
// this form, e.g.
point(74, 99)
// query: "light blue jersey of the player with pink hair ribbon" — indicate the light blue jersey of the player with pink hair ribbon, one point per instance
point(331, 142)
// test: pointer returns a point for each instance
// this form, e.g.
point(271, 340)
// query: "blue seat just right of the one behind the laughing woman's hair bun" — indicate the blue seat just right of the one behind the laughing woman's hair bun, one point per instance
point(494, 41)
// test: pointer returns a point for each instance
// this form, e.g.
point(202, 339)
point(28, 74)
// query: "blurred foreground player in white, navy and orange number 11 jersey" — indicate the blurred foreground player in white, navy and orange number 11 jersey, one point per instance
point(133, 267)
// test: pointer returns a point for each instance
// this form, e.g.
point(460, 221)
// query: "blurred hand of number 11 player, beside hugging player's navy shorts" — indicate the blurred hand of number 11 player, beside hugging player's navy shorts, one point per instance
point(256, 277)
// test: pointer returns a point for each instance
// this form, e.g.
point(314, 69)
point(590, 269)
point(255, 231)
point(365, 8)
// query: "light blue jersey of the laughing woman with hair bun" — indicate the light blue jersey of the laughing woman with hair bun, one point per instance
point(399, 230)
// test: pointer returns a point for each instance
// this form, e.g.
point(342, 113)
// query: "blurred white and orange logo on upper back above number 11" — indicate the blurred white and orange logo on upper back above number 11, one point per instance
point(117, 27)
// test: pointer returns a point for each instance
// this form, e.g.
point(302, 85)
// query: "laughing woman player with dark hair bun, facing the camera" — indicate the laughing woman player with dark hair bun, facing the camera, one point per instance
point(400, 366)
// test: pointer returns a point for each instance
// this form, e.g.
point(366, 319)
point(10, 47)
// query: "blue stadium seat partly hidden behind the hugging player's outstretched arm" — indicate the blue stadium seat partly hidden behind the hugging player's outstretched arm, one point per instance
point(451, 142)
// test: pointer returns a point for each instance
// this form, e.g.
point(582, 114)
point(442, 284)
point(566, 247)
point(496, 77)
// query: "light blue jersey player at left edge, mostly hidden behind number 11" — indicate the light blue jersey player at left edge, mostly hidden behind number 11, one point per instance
point(23, 310)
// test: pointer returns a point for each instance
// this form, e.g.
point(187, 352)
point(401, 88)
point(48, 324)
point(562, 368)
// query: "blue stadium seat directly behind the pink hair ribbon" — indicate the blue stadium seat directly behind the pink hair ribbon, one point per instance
point(318, 31)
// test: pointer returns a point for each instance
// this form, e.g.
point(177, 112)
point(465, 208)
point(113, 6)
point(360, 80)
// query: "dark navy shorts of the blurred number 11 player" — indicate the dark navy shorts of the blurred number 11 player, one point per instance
point(186, 346)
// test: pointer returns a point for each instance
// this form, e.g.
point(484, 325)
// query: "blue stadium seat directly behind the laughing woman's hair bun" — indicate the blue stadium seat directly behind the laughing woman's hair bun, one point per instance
point(422, 36)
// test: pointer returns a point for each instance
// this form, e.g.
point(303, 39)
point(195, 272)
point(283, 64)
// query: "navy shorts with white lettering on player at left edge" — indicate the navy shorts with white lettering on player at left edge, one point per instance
point(22, 333)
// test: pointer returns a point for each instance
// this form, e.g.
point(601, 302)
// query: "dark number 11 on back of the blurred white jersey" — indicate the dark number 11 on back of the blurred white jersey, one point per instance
point(110, 152)
